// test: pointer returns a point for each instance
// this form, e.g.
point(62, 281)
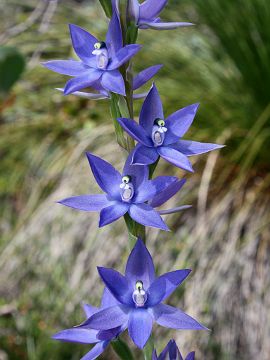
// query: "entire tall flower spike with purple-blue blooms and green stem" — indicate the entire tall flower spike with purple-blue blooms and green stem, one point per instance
point(133, 301)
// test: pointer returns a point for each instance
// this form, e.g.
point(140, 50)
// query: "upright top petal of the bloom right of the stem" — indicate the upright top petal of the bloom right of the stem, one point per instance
point(151, 110)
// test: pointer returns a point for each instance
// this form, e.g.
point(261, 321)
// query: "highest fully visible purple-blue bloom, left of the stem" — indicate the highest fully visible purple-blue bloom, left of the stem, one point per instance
point(99, 60)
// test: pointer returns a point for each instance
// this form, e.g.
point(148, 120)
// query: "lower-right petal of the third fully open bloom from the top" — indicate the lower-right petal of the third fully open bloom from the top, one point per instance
point(147, 216)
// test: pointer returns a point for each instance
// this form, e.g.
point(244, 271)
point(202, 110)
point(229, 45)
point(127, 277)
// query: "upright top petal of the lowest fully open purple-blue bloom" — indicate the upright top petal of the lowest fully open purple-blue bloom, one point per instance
point(140, 265)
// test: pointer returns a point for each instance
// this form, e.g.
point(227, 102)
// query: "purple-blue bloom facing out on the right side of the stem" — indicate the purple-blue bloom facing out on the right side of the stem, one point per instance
point(157, 136)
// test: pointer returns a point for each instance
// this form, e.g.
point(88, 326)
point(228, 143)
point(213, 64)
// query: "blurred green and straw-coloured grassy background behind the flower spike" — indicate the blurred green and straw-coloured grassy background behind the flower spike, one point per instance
point(48, 253)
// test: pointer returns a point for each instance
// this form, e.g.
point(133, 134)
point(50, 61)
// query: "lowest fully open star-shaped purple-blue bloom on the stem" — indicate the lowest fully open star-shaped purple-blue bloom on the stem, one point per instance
point(140, 295)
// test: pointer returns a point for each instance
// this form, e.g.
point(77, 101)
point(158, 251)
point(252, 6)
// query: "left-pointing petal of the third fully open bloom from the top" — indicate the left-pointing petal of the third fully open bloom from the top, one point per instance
point(86, 202)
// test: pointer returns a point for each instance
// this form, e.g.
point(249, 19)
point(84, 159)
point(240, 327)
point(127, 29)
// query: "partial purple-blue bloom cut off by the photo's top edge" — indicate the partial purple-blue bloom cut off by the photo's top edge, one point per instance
point(146, 14)
